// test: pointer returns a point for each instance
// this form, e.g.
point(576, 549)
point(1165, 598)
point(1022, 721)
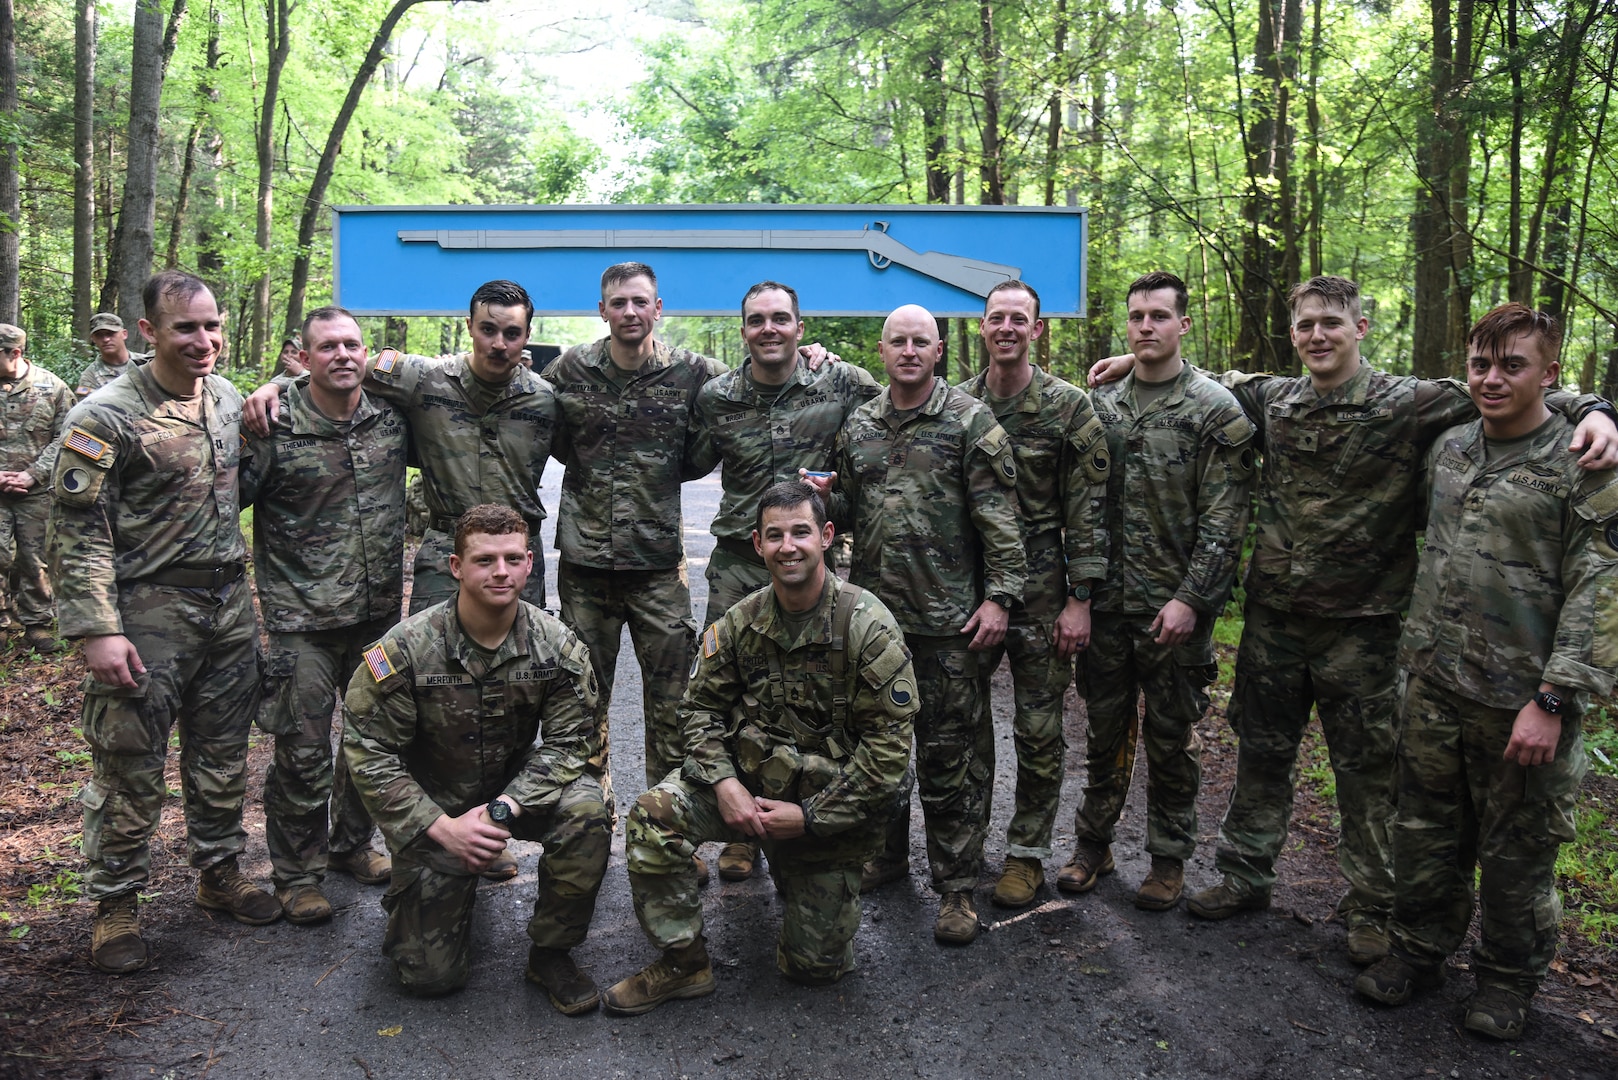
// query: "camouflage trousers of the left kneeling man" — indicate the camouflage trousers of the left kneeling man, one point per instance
point(431, 896)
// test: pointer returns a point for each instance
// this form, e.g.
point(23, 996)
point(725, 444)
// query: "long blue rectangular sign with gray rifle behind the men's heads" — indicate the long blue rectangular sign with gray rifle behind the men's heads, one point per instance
point(842, 260)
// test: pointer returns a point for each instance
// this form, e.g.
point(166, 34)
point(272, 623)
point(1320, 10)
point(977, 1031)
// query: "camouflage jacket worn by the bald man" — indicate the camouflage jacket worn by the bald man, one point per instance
point(933, 506)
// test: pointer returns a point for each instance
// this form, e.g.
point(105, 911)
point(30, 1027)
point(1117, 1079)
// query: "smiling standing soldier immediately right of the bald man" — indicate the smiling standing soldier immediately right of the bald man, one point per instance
point(1062, 487)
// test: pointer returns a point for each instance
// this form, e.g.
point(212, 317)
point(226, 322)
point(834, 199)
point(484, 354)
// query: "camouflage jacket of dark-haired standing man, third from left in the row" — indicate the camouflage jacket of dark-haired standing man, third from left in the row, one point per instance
point(468, 459)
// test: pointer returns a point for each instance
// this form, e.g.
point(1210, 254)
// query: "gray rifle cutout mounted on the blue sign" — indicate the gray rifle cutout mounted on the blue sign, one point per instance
point(973, 276)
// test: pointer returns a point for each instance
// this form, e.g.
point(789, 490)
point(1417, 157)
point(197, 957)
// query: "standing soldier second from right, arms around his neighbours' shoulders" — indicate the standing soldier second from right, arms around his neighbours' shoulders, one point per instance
point(1332, 568)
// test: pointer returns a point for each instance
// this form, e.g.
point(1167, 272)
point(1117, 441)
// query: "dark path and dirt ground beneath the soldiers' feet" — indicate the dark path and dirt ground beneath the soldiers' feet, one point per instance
point(1077, 987)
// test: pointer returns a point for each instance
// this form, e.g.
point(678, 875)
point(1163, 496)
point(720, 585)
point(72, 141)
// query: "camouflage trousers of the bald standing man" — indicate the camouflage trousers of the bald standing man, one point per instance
point(954, 765)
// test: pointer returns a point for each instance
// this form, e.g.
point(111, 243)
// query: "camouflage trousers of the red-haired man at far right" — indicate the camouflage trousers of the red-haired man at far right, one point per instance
point(1462, 806)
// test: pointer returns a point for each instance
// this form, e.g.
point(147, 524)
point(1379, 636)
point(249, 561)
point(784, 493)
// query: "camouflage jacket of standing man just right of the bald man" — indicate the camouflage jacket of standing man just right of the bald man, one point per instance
point(1062, 470)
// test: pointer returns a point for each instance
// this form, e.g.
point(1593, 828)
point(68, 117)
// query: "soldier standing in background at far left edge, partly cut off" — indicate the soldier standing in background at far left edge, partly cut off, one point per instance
point(33, 407)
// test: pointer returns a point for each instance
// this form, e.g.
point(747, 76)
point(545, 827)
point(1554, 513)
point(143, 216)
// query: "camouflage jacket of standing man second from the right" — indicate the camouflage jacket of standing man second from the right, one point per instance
point(1339, 495)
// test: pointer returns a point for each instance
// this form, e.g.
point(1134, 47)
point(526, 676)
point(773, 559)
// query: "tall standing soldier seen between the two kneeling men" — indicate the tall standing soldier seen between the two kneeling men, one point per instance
point(625, 412)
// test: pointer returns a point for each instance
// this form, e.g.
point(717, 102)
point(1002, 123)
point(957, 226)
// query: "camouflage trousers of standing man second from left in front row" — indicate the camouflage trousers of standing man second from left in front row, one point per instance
point(302, 684)
